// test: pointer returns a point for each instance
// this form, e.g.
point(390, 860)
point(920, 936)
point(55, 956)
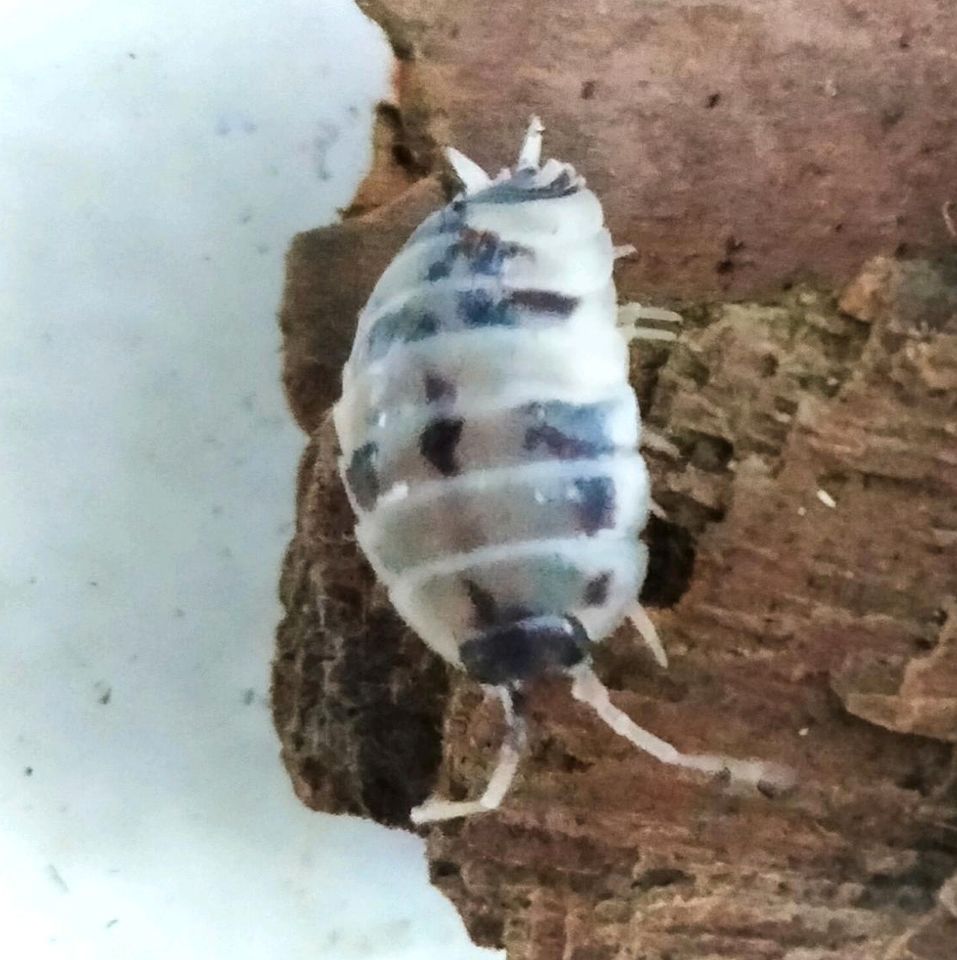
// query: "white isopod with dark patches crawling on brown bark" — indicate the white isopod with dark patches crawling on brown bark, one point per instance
point(501, 499)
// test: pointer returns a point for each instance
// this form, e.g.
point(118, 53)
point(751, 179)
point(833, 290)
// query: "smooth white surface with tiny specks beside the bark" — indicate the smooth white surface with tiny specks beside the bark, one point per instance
point(155, 160)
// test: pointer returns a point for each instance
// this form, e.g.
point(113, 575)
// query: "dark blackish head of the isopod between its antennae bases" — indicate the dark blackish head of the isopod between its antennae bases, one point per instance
point(525, 650)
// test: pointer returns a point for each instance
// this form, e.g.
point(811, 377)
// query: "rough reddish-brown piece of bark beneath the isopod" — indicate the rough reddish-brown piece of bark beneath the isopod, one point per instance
point(806, 580)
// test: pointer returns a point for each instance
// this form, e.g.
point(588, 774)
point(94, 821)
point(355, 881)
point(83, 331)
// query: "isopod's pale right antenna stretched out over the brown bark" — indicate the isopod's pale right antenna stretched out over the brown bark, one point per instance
point(768, 777)
